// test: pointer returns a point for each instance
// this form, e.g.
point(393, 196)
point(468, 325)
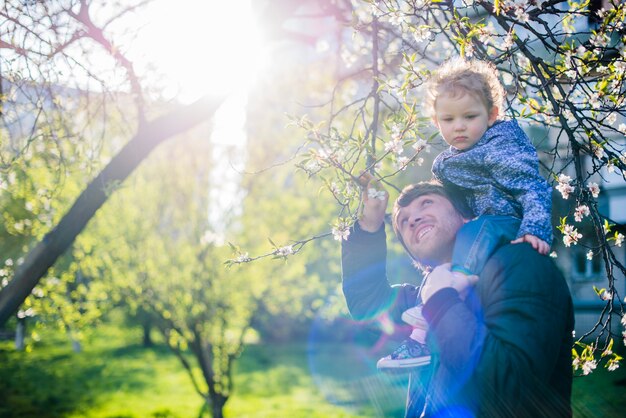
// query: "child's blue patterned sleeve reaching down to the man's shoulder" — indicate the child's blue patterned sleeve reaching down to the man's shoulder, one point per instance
point(514, 167)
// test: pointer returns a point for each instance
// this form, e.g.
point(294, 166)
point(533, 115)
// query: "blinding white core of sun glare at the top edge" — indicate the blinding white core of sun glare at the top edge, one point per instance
point(202, 47)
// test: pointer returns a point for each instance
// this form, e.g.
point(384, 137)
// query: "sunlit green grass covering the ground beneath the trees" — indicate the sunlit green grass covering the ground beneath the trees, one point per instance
point(115, 377)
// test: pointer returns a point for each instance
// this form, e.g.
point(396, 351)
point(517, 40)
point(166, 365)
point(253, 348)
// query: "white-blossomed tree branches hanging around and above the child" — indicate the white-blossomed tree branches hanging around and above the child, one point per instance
point(563, 65)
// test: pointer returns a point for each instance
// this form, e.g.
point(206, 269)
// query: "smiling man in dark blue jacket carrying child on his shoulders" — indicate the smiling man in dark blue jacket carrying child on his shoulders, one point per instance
point(500, 348)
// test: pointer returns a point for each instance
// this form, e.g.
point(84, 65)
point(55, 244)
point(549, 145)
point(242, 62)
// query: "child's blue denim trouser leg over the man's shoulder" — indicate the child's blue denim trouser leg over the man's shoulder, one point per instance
point(477, 240)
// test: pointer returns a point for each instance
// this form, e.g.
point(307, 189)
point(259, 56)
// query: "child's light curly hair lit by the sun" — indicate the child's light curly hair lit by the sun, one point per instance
point(459, 76)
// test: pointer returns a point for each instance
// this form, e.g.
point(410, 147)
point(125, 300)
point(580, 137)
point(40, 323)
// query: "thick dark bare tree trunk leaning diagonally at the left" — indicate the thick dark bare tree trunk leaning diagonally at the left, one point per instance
point(53, 245)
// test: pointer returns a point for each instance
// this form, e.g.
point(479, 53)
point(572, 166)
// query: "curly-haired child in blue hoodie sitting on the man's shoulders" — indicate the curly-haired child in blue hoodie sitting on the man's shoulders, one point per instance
point(493, 163)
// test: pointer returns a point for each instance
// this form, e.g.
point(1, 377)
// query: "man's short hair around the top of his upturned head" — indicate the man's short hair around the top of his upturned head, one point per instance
point(413, 191)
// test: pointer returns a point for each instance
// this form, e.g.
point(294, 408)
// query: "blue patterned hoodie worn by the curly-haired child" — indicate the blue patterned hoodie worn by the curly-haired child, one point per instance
point(499, 175)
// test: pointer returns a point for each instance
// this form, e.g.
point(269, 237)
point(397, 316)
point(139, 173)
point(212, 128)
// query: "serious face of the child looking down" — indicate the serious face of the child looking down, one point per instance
point(462, 120)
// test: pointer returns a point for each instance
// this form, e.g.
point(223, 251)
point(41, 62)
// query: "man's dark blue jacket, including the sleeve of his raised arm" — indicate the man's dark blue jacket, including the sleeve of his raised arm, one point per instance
point(503, 352)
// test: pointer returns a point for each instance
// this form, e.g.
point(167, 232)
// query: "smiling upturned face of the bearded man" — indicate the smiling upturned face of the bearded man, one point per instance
point(428, 227)
